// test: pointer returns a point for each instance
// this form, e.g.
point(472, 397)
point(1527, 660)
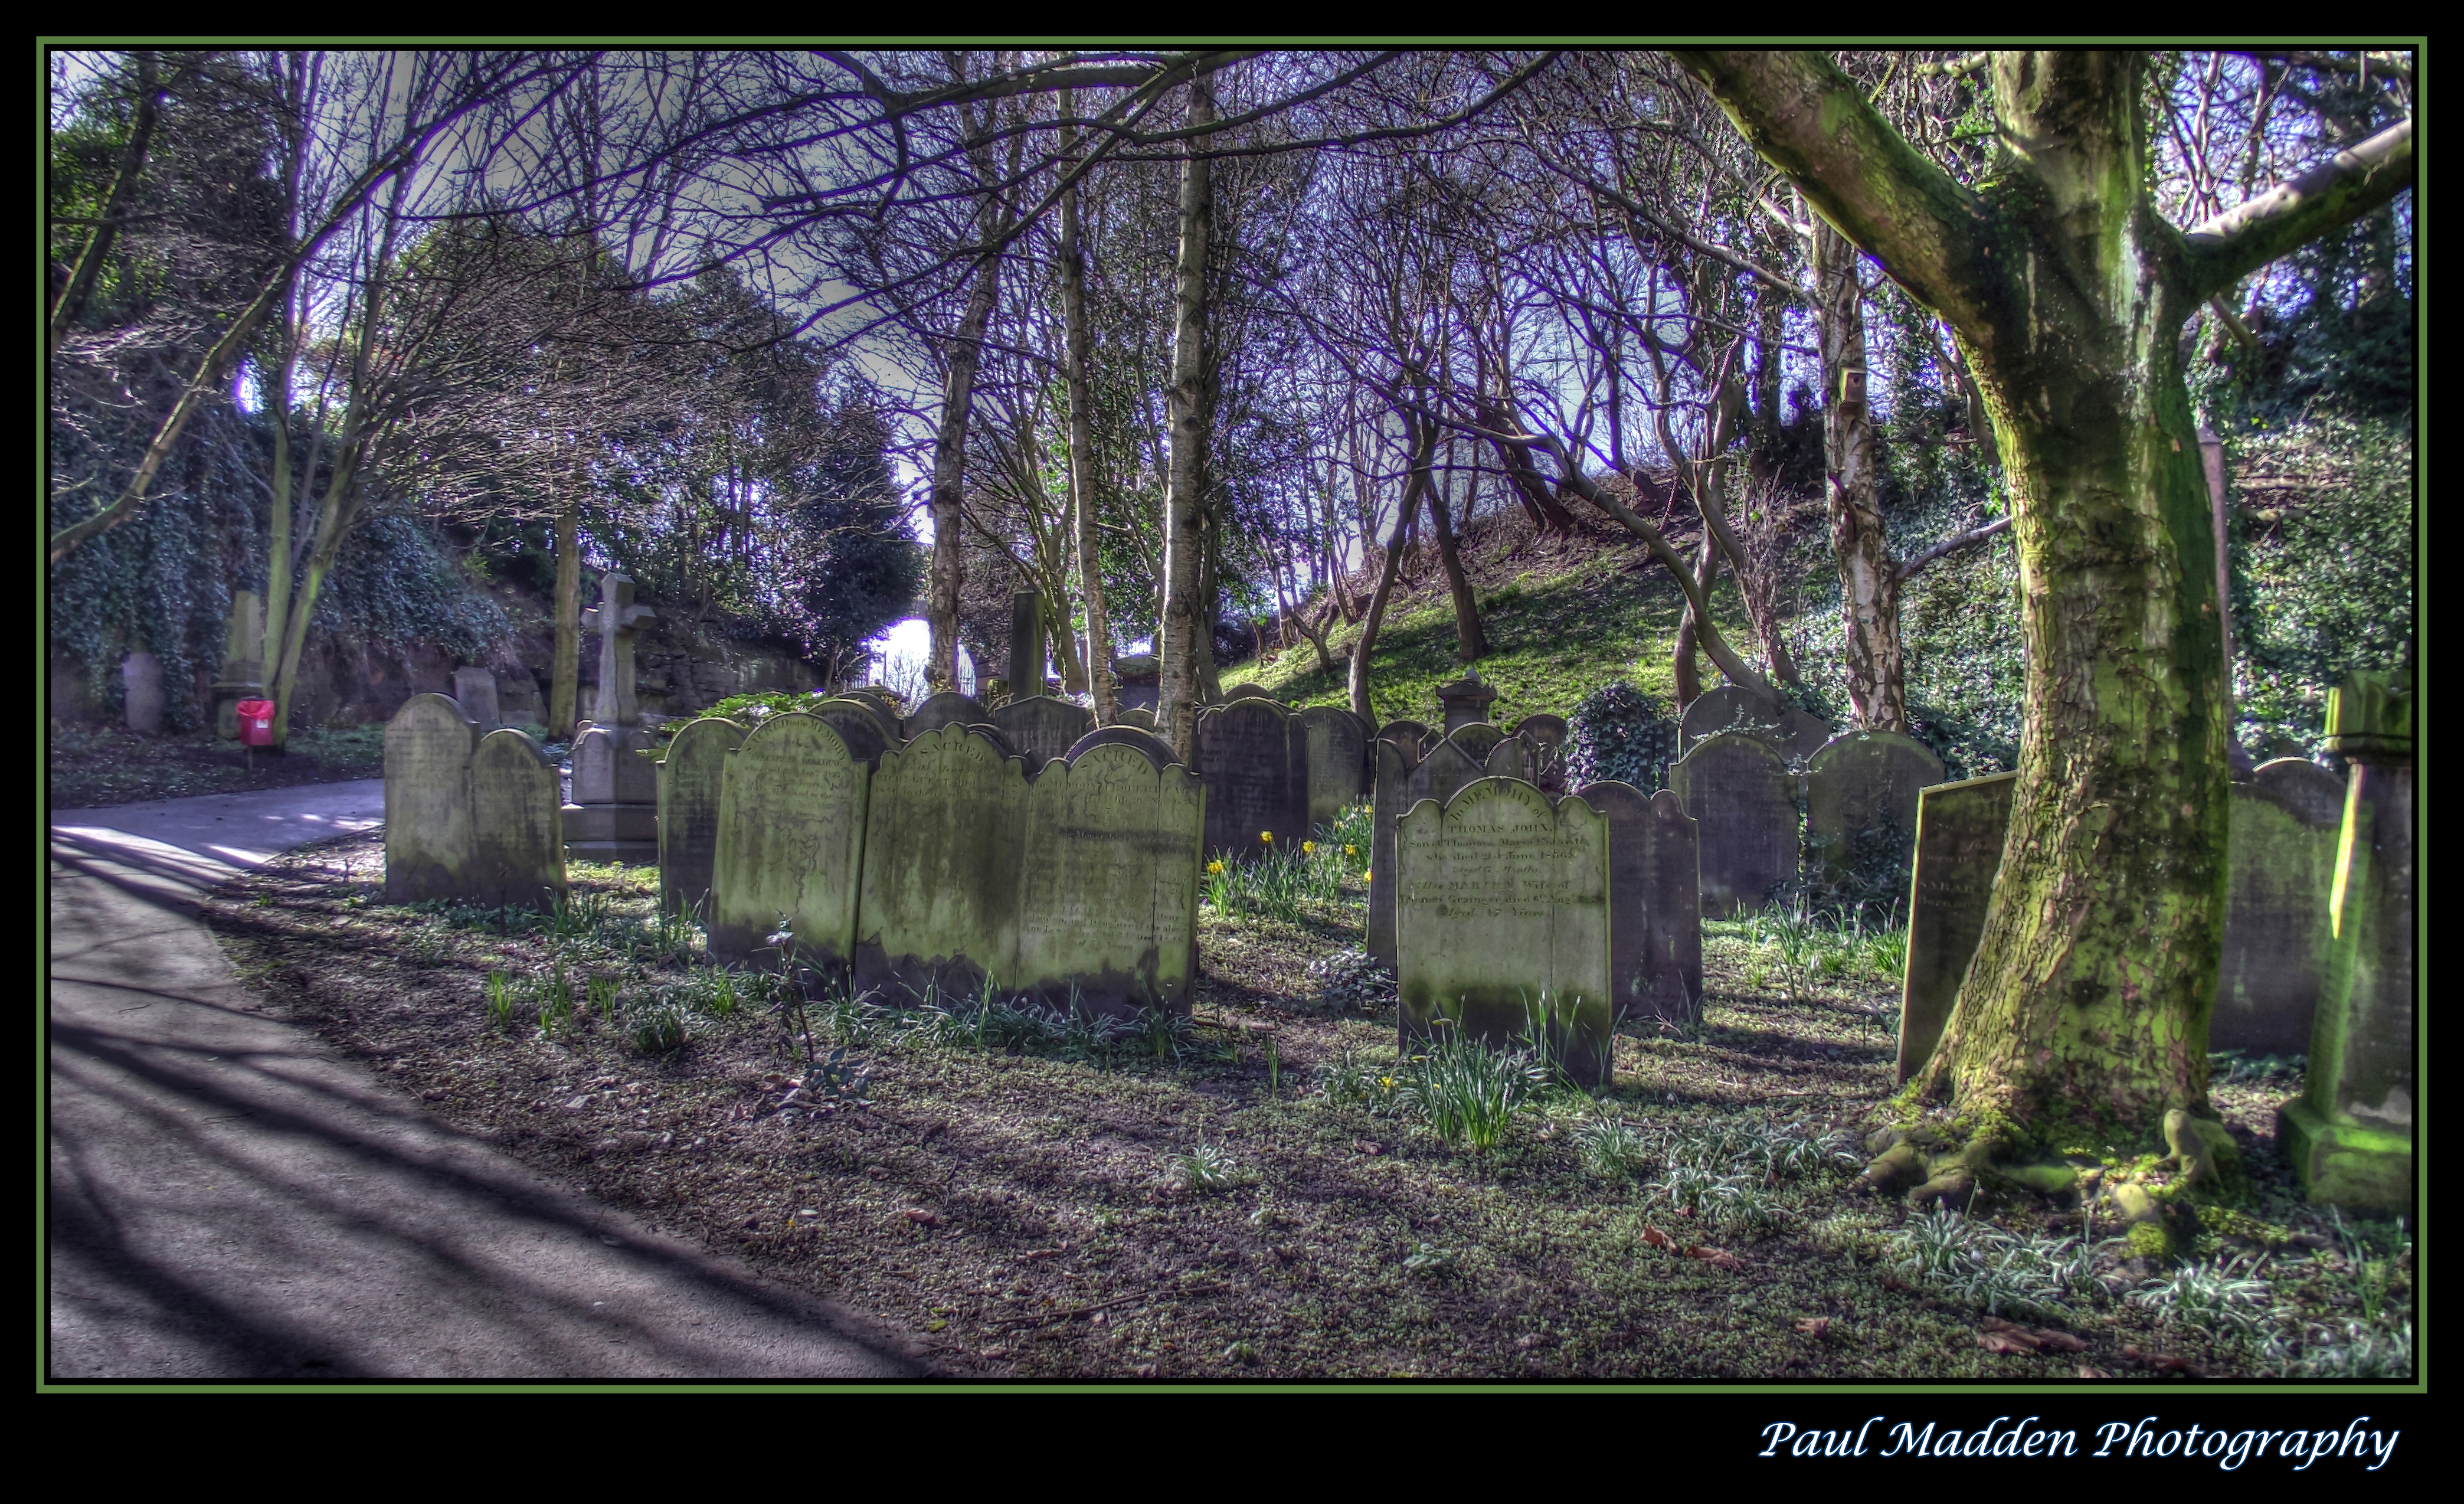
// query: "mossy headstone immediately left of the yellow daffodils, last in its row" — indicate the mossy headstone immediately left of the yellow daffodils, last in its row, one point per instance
point(1108, 896)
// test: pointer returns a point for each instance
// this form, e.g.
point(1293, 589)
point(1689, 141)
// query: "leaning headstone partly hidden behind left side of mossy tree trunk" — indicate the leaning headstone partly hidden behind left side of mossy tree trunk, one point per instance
point(1960, 837)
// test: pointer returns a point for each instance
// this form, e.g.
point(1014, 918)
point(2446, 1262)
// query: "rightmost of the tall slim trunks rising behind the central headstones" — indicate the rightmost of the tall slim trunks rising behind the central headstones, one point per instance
point(1186, 640)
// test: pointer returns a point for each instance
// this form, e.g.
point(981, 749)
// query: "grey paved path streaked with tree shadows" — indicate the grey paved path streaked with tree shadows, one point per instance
point(233, 1200)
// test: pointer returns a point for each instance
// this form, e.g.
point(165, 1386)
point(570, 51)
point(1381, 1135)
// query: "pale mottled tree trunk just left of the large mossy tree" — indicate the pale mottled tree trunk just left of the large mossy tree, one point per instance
point(1869, 576)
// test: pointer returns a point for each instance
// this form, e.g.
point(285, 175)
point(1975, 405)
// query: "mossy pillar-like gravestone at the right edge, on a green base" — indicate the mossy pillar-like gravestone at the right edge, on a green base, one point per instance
point(2349, 1138)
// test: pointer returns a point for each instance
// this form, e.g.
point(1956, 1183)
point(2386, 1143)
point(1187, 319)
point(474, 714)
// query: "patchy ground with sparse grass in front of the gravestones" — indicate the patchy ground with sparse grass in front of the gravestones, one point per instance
point(1250, 1195)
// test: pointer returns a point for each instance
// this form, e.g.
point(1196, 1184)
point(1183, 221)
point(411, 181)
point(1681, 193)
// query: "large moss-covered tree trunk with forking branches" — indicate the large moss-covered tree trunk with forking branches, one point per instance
point(2091, 990)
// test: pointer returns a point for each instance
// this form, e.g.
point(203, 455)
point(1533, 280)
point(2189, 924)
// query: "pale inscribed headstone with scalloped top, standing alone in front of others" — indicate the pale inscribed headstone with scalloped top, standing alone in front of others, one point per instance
point(1504, 921)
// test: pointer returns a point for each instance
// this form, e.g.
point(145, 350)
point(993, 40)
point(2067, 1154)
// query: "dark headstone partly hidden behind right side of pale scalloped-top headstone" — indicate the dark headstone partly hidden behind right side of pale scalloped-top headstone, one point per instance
point(1655, 904)
